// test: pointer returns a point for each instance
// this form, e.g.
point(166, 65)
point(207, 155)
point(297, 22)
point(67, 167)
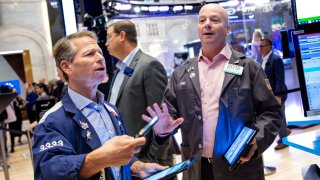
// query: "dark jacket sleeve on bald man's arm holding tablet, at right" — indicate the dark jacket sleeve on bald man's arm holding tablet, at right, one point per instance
point(267, 110)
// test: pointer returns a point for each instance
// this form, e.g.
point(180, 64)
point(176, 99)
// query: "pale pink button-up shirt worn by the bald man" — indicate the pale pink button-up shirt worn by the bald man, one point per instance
point(211, 75)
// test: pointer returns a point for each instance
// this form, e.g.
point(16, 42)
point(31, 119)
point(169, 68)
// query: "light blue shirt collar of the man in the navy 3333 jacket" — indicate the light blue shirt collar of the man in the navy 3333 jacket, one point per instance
point(81, 101)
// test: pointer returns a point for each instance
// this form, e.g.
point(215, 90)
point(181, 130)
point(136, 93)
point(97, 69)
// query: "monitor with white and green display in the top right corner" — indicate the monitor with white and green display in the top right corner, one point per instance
point(306, 13)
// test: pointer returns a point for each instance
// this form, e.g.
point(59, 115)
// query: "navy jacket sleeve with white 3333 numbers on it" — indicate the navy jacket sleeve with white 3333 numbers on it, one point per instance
point(54, 156)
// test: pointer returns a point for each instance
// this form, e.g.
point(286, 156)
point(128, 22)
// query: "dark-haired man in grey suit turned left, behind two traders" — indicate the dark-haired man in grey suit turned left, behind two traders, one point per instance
point(138, 83)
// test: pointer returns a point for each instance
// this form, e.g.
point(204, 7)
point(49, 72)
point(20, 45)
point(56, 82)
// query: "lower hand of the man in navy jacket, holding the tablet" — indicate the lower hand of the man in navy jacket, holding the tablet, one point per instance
point(143, 170)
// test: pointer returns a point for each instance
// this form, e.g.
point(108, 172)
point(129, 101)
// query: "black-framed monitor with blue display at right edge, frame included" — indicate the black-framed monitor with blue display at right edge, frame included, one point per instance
point(307, 51)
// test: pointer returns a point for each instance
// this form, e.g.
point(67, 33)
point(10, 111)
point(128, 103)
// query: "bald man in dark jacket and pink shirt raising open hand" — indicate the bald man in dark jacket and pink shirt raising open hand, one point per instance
point(217, 94)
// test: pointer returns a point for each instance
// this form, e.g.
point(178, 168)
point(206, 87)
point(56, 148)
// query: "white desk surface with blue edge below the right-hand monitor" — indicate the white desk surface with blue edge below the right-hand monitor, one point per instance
point(309, 141)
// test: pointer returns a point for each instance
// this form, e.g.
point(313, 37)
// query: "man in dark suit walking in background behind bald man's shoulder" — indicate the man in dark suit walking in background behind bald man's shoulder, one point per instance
point(274, 69)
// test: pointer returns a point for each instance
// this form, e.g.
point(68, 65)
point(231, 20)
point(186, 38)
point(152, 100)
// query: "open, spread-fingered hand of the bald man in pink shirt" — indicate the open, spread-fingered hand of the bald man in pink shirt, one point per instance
point(165, 124)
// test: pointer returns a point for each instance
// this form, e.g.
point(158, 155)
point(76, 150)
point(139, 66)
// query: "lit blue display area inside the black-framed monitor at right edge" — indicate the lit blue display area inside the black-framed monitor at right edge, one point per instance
point(310, 56)
